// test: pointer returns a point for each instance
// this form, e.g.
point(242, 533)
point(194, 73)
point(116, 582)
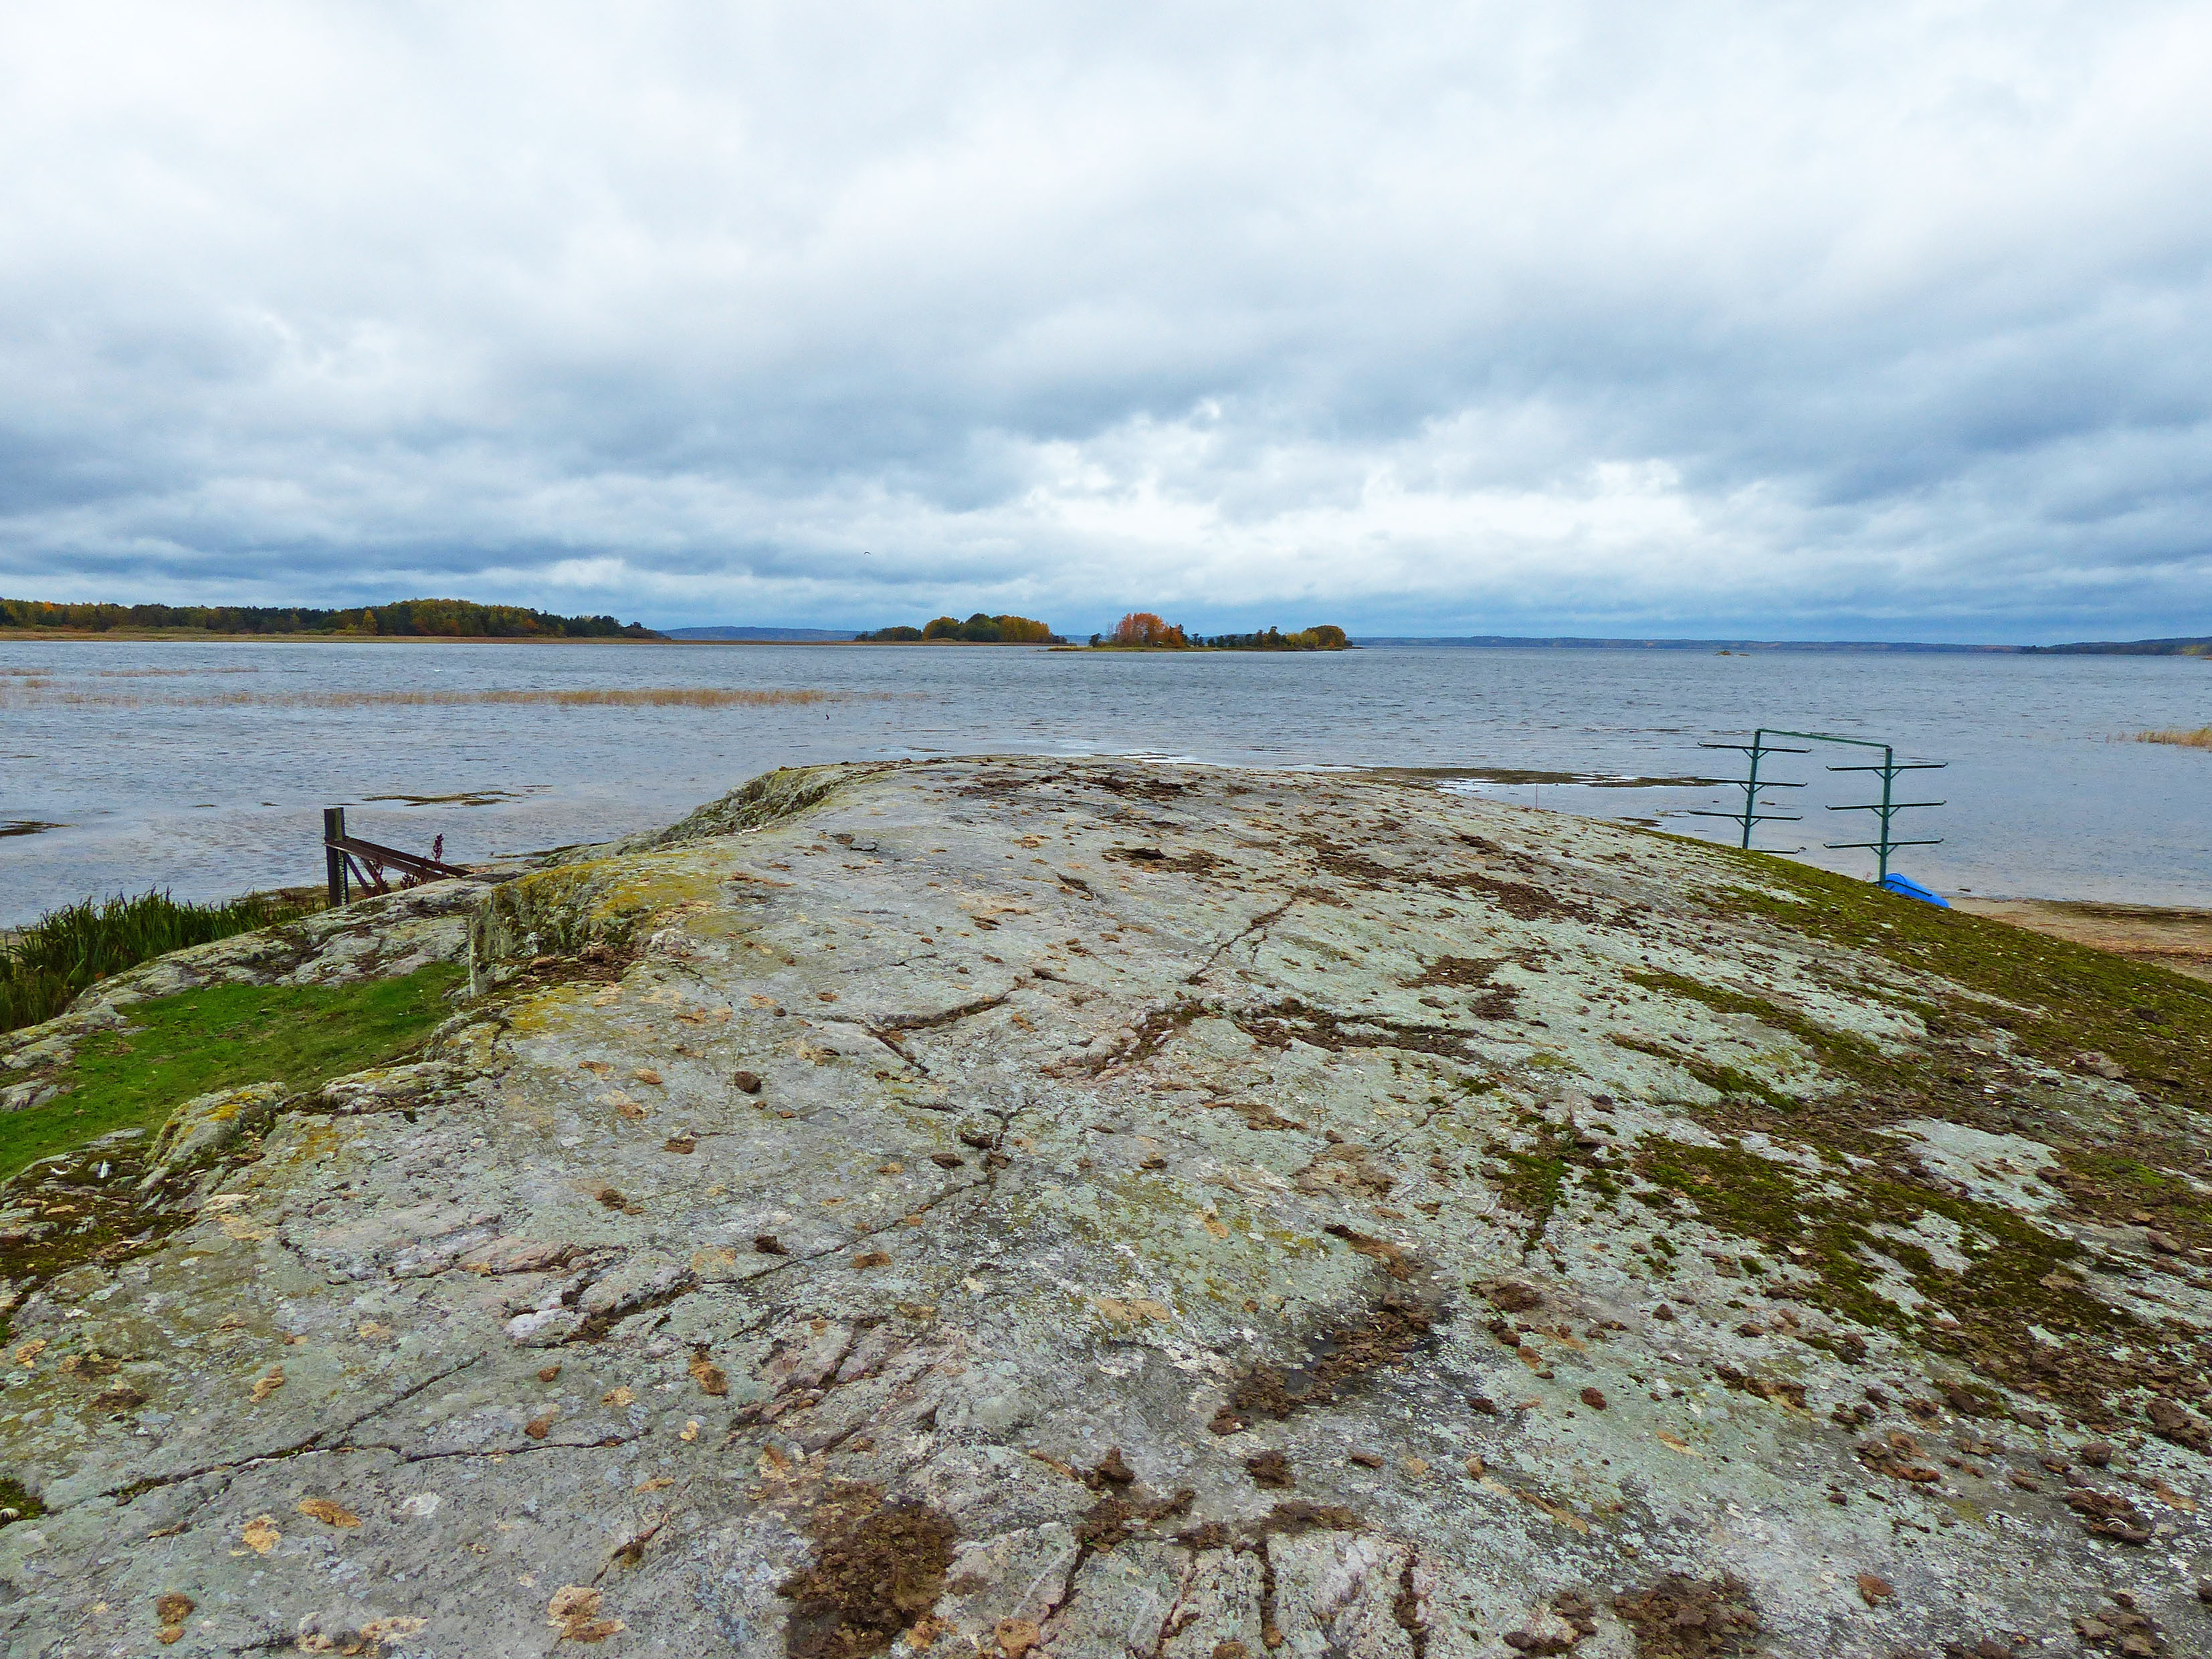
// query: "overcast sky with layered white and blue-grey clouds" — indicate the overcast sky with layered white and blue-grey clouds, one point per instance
point(1804, 322)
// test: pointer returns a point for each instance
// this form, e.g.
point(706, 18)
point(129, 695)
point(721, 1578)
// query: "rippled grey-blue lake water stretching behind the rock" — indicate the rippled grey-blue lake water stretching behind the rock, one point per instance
point(205, 766)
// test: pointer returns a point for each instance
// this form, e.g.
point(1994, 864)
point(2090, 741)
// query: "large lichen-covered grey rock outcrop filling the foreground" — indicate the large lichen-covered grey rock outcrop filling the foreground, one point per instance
point(1089, 1209)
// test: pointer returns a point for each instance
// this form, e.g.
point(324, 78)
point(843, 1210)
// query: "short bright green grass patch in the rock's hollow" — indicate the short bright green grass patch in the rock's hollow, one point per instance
point(218, 1039)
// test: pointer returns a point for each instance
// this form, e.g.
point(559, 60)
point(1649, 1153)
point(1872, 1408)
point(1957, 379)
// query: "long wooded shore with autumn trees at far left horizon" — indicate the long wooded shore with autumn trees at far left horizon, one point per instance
point(401, 620)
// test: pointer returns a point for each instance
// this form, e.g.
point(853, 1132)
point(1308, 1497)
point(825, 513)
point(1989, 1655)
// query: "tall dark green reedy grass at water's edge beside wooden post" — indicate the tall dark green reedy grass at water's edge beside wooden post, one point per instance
point(67, 950)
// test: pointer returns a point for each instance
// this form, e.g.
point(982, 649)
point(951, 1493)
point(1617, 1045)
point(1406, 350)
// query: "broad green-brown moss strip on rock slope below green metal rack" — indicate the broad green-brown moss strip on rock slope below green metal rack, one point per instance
point(2067, 997)
